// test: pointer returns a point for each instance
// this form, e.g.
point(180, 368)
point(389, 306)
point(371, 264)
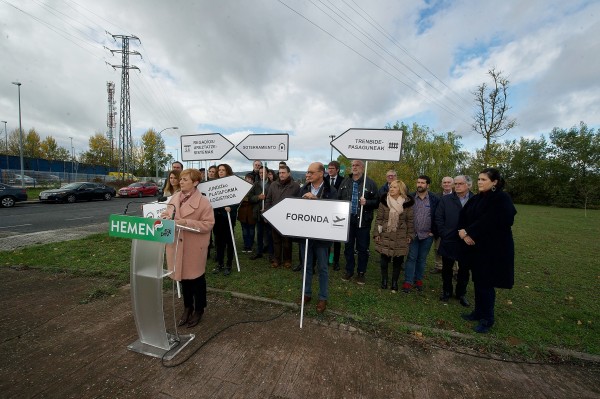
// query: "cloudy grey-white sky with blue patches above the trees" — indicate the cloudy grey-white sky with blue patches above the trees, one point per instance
point(307, 68)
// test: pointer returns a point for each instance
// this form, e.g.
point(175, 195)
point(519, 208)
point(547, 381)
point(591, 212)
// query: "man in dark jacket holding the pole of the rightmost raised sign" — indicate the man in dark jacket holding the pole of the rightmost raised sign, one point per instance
point(359, 234)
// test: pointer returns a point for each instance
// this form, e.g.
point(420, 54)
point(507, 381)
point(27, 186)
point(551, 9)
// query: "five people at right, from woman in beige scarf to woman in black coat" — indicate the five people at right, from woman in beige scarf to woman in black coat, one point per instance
point(473, 231)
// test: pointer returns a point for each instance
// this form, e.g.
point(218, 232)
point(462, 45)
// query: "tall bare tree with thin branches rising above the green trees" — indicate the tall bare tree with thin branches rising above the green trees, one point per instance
point(491, 119)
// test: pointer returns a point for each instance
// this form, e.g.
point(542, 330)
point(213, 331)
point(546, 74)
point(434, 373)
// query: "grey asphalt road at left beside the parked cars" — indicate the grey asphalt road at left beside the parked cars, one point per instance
point(36, 217)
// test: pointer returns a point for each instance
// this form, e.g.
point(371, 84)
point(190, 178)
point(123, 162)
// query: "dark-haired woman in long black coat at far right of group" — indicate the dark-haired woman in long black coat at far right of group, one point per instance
point(487, 244)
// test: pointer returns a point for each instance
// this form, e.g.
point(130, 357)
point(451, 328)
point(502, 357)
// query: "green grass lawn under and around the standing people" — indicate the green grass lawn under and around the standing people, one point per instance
point(554, 302)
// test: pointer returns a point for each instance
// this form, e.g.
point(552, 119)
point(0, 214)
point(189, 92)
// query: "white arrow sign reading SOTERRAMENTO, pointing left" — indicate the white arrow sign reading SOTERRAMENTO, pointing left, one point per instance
point(265, 147)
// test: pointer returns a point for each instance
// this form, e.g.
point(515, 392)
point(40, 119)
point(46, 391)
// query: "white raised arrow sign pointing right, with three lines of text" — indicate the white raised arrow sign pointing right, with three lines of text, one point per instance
point(204, 147)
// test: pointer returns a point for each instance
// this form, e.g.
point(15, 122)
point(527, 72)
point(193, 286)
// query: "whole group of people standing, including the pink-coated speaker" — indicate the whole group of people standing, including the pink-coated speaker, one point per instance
point(471, 231)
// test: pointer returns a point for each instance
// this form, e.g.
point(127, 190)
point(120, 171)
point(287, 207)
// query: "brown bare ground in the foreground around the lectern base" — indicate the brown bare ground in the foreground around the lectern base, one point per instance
point(53, 346)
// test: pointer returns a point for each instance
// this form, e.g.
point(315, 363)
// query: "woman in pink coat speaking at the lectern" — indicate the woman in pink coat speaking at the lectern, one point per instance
point(186, 257)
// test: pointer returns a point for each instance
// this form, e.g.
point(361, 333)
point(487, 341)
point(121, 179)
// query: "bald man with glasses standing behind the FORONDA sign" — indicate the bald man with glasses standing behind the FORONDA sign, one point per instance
point(316, 187)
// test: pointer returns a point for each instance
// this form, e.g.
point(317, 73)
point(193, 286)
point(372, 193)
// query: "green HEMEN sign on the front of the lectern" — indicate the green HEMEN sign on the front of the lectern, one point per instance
point(158, 230)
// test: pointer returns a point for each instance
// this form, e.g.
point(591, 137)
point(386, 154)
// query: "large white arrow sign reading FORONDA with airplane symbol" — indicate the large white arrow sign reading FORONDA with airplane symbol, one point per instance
point(317, 219)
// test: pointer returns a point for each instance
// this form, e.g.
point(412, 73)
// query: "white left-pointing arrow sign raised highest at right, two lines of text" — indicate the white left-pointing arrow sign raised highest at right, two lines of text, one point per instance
point(370, 144)
